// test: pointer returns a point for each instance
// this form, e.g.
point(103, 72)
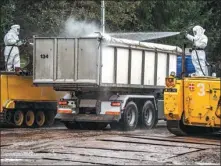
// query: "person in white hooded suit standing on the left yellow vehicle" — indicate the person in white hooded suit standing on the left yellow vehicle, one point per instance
point(11, 53)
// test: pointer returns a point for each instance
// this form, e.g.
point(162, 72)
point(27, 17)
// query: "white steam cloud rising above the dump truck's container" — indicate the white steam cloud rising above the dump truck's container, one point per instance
point(74, 28)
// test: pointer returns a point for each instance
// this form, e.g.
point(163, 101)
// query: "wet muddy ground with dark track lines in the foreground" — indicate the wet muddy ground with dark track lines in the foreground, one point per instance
point(60, 146)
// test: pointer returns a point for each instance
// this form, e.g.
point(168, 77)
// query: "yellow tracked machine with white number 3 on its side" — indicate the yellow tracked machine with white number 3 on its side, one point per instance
point(192, 105)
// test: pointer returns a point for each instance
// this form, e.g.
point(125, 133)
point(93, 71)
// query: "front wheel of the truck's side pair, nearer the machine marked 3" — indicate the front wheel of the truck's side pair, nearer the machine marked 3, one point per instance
point(149, 116)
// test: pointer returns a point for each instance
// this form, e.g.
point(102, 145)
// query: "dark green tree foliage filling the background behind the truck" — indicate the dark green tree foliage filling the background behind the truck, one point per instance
point(47, 17)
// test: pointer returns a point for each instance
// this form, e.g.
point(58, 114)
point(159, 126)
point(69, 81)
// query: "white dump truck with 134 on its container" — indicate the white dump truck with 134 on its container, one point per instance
point(110, 80)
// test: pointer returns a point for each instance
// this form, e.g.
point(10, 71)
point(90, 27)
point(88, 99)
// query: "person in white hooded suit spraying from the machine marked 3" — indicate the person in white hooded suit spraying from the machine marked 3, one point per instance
point(199, 44)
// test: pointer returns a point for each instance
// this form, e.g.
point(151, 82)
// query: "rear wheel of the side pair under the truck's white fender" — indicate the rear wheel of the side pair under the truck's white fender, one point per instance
point(130, 117)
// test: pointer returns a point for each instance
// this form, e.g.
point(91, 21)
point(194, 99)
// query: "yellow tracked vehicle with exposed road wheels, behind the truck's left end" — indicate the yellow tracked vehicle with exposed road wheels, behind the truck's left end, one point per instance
point(21, 103)
